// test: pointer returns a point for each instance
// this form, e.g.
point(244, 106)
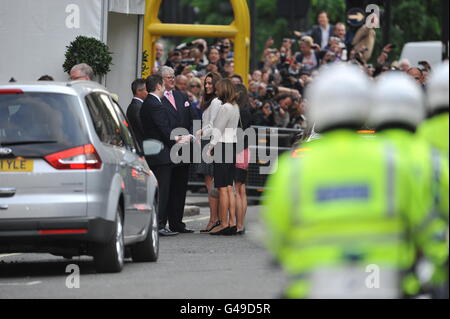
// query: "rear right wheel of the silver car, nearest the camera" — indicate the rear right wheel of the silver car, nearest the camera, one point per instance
point(109, 257)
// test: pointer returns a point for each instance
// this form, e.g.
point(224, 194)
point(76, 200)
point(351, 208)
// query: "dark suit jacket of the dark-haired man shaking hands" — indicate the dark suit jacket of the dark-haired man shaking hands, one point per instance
point(157, 123)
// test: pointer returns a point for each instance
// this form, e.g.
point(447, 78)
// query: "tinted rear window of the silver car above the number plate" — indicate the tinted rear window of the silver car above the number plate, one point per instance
point(38, 124)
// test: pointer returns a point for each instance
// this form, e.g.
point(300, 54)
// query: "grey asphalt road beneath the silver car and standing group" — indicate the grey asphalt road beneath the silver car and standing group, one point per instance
point(189, 266)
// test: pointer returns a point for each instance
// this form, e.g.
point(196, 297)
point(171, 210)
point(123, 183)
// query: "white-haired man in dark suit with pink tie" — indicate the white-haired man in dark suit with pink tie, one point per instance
point(180, 111)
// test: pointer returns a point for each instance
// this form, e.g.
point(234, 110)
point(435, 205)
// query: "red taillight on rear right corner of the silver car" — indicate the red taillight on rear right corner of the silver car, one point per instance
point(83, 157)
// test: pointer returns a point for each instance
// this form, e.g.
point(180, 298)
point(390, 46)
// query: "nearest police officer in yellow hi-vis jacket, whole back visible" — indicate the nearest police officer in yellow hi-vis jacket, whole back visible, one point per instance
point(338, 218)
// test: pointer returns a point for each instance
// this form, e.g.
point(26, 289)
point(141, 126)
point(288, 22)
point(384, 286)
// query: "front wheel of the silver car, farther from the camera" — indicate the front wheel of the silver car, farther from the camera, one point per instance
point(148, 250)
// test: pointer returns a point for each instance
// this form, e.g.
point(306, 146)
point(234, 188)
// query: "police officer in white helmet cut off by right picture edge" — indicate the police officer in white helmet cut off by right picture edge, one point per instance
point(435, 129)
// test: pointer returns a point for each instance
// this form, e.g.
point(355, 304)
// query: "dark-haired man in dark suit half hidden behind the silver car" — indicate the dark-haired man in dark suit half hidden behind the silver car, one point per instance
point(140, 92)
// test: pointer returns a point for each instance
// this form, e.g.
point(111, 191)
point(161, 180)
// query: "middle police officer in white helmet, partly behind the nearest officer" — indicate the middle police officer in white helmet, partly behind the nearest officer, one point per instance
point(398, 110)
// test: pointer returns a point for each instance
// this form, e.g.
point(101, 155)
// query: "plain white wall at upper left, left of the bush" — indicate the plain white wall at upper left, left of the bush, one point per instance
point(34, 35)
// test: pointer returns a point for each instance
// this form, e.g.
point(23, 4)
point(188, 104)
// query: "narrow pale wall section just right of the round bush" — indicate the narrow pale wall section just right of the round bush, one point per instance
point(122, 39)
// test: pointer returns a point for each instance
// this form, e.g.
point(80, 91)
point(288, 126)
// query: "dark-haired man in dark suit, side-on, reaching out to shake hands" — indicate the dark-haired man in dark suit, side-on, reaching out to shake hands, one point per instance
point(157, 124)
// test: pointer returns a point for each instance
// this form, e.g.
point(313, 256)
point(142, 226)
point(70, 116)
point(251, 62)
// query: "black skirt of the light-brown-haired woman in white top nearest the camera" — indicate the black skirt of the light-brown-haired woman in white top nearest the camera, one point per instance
point(224, 164)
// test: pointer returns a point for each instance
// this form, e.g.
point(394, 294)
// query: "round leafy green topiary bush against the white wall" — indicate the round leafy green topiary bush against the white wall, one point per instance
point(90, 51)
